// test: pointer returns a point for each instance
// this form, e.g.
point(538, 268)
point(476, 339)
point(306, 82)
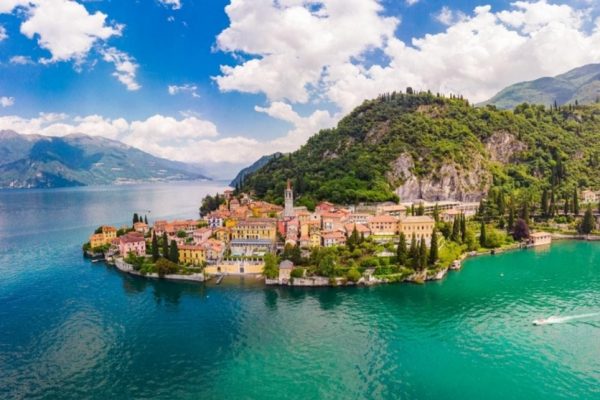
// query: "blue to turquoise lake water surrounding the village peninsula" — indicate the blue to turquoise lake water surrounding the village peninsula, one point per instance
point(71, 329)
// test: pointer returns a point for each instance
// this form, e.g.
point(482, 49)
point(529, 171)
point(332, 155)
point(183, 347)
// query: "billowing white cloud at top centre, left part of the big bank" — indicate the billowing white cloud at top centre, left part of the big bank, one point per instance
point(293, 42)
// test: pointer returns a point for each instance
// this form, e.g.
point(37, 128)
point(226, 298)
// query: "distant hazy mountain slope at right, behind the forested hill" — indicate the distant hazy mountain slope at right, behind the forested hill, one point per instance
point(580, 84)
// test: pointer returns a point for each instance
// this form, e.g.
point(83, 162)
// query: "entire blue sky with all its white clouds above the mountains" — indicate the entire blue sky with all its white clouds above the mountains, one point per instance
point(249, 77)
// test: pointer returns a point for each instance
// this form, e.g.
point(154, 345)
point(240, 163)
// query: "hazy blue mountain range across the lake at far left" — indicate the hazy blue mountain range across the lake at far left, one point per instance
point(35, 161)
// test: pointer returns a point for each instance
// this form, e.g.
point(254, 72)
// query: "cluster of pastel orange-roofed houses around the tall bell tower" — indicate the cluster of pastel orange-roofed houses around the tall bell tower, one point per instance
point(235, 237)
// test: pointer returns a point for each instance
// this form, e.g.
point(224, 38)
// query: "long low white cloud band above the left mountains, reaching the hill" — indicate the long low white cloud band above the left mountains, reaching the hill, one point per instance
point(189, 139)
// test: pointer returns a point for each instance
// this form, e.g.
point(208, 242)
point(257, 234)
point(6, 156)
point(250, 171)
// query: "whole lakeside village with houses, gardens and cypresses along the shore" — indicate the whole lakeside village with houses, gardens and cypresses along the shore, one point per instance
point(330, 245)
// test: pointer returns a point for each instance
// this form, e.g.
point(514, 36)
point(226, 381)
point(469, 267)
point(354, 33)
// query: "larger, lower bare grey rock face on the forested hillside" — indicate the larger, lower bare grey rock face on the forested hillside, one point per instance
point(450, 182)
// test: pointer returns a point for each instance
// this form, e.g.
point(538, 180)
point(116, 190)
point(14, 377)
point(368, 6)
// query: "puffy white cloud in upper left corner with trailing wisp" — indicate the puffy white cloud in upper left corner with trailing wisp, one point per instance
point(69, 33)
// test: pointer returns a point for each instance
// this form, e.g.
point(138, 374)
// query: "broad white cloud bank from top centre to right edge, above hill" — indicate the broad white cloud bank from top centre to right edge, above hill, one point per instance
point(303, 52)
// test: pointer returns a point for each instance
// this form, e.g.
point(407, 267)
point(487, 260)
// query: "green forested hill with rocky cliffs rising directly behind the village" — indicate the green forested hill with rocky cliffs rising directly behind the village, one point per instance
point(437, 148)
